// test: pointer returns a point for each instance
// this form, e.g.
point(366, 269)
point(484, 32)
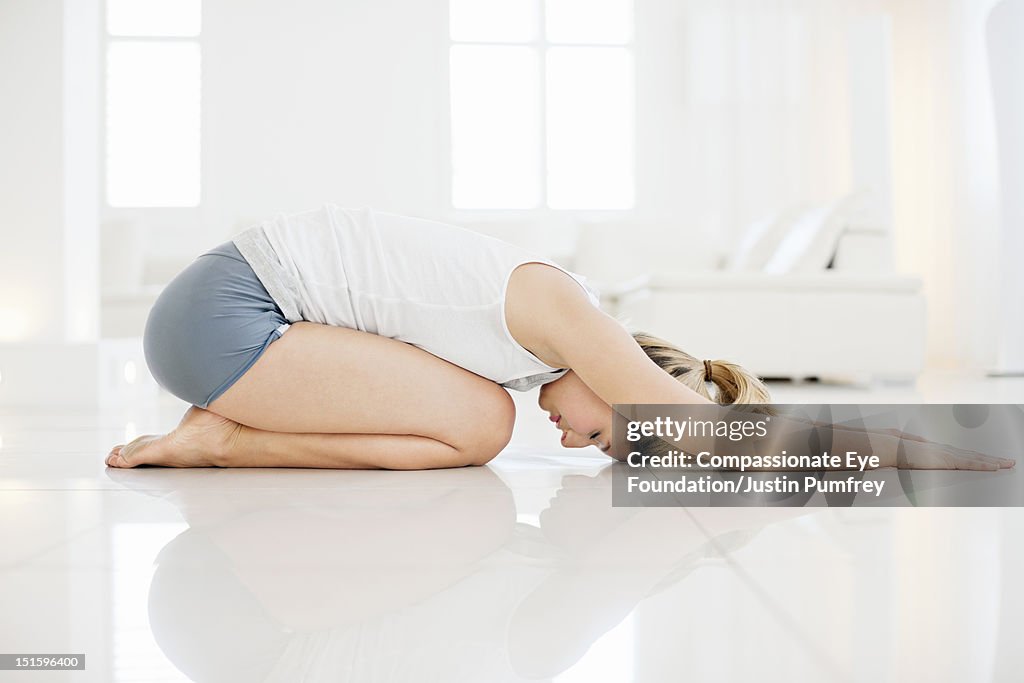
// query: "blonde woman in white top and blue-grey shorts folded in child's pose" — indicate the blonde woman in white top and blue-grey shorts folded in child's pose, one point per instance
point(339, 338)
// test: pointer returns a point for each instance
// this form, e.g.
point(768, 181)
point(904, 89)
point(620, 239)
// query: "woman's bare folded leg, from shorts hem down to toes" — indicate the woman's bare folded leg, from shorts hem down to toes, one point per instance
point(326, 397)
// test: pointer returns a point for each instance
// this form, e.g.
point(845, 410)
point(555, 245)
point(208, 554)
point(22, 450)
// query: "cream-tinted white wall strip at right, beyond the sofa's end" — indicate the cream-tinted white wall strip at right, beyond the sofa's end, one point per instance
point(946, 175)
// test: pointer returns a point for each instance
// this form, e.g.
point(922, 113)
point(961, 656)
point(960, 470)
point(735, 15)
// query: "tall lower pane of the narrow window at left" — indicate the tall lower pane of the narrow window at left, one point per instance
point(153, 124)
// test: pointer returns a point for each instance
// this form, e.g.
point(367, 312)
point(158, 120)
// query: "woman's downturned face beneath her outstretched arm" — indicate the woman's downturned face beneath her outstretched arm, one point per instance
point(578, 412)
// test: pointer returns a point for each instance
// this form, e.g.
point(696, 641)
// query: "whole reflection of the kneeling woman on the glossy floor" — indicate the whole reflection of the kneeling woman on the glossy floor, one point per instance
point(428, 582)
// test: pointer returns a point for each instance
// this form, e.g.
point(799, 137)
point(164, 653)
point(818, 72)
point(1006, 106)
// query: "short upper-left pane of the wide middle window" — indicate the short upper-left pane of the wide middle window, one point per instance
point(494, 21)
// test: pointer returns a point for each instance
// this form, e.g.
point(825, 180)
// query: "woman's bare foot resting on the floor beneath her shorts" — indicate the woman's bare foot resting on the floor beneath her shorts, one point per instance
point(201, 440)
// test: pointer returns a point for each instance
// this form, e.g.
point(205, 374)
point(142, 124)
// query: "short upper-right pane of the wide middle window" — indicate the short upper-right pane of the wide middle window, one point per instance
point(601, 22)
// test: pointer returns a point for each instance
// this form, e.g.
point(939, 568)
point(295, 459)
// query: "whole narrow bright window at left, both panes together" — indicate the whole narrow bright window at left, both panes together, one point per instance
point(153, 103)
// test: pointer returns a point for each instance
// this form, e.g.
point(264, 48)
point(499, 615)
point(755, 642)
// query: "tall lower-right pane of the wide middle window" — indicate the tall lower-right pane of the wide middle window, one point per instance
point(590, 129)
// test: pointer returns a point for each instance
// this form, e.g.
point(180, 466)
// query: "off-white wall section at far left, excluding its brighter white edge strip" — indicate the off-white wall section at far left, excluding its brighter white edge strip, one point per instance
point(31, 172)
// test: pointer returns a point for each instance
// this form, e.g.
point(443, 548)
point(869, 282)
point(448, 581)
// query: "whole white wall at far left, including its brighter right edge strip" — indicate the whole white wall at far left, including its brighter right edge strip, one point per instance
point(49, 179)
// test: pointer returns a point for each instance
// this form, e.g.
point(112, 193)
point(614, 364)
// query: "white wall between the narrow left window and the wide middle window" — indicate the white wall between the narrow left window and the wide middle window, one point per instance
point(313, 102)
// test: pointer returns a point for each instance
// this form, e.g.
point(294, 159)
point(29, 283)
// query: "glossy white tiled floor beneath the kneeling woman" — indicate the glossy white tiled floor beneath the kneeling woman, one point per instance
point(517, 572)
